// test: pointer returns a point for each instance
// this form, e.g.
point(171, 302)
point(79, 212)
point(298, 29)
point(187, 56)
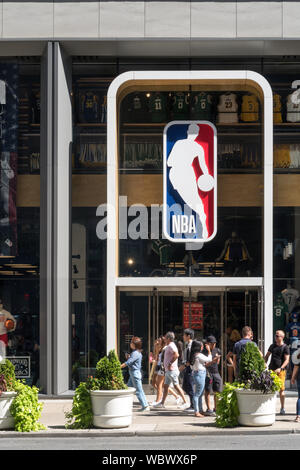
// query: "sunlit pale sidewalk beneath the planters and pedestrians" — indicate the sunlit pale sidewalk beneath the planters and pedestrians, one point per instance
point(171, 421)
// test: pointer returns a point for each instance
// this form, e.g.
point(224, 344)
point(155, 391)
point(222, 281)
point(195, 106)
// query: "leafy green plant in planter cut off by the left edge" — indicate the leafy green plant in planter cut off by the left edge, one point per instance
point(19, 405)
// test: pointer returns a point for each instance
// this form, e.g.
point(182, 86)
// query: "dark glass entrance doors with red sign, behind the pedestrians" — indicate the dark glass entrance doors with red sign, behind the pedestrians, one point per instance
point(150, 313)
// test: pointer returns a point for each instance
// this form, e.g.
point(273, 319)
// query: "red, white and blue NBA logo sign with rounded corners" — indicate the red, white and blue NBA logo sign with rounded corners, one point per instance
point(190, 181)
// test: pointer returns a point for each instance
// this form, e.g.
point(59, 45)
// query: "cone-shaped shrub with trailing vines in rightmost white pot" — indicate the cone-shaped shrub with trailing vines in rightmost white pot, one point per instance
point(251, 400)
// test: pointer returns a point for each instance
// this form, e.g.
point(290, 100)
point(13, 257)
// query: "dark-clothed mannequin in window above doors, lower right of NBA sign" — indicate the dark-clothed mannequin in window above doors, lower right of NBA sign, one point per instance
point(235, 251)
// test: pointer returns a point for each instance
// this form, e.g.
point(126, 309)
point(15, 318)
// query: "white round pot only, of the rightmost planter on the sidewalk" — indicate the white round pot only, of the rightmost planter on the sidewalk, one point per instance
point(256, 408)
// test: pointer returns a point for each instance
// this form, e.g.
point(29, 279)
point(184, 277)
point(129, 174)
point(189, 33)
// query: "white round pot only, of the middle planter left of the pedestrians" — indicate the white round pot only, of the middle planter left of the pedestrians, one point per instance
point(112, 408)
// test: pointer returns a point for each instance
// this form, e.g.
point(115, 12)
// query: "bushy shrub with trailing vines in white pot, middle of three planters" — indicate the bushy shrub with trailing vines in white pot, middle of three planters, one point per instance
point(103, 401)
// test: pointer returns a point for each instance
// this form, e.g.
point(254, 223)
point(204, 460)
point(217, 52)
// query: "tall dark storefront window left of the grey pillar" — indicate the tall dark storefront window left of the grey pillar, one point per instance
point(20, 214)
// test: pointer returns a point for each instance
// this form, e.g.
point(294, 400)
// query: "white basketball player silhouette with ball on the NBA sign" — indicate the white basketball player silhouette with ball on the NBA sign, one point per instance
point(182, 174)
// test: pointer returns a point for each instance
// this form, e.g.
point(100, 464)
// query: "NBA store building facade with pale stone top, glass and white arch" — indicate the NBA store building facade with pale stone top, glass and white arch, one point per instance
point(86, 89)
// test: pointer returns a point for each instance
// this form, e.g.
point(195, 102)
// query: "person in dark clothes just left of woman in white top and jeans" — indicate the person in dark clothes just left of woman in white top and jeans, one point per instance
point(188, 382)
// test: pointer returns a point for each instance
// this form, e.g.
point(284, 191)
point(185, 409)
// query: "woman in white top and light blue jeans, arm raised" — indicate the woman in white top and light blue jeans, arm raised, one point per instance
point(198, 363)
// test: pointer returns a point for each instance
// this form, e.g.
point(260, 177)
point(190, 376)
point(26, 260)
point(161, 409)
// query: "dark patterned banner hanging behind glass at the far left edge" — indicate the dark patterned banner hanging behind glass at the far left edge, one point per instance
point(8, 158)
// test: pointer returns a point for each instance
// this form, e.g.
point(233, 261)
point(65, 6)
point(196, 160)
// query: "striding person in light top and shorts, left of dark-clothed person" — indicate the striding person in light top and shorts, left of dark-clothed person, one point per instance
point(170, 363)
